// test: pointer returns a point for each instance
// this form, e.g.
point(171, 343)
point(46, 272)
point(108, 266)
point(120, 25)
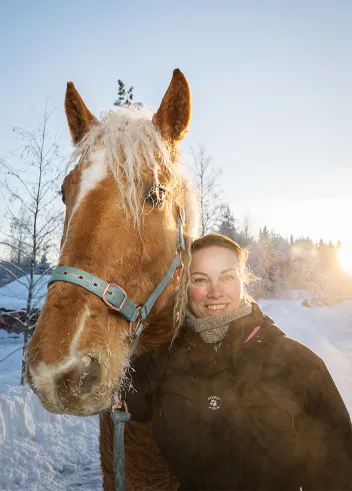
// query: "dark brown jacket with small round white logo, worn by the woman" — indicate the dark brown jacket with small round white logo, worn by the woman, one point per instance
point(261, 415)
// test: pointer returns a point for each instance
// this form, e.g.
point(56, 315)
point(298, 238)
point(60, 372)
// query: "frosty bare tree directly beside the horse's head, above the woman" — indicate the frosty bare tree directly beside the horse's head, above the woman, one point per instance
point(211, 205)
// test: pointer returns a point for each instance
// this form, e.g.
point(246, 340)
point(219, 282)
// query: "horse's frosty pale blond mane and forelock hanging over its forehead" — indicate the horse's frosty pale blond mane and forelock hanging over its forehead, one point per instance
point(132, 144)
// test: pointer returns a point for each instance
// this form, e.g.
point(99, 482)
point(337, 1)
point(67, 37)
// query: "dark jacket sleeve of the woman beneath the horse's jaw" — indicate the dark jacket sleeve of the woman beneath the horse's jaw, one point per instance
point(143, 377)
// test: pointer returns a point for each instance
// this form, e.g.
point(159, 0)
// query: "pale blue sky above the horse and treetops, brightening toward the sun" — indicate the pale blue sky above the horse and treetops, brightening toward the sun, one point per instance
point(271, 83)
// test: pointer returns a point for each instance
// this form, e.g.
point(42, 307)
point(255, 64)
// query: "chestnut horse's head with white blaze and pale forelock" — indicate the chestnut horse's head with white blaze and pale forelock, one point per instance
point(123, 200)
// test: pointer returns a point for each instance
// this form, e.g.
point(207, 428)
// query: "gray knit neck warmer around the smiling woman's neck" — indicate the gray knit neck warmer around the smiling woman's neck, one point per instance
point(214, 329)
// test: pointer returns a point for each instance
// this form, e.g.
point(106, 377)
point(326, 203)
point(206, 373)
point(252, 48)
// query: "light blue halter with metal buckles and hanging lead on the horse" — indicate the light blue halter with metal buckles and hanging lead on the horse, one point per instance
point(117, 299)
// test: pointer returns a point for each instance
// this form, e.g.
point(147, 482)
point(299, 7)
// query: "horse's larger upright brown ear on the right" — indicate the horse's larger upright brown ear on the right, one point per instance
point(174, 114)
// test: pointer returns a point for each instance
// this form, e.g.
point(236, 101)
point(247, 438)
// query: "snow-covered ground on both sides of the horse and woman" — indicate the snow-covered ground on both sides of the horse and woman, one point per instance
point(40, 451)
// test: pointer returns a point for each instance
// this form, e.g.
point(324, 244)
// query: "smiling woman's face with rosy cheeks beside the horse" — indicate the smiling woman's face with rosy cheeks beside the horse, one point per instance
point(215, 287)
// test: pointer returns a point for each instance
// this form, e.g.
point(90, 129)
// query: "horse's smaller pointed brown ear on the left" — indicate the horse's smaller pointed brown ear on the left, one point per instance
point(79, 117)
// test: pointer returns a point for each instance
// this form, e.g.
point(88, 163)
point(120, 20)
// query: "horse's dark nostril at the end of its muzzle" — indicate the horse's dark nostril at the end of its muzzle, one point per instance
point(78, 381)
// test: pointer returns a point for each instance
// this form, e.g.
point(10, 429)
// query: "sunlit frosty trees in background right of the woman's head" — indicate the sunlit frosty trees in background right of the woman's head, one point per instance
point(283, 265)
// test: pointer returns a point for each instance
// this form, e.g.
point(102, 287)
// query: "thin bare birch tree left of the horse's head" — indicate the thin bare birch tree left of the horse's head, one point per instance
point(33, 216)
